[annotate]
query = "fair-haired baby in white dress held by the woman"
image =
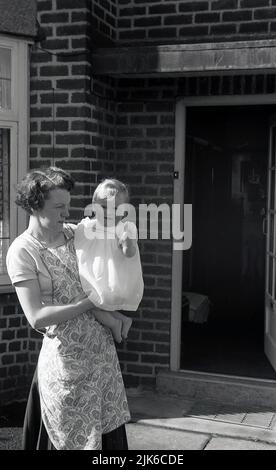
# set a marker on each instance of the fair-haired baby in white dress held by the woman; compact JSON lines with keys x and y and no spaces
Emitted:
{"x":108,"y":259}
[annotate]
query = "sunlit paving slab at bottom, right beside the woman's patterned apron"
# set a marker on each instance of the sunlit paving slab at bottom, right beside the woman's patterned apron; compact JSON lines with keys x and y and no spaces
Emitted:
{"x":143,"y":437}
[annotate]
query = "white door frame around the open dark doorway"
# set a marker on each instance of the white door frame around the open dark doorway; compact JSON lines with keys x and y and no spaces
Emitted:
{"x":179,"y":166}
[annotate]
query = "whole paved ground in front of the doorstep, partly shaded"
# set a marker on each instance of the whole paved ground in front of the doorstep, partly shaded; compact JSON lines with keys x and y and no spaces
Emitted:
{"x":169,"y":422}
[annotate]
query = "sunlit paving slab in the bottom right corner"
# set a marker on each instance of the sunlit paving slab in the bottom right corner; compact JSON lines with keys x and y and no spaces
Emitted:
{"x":224,"y":443}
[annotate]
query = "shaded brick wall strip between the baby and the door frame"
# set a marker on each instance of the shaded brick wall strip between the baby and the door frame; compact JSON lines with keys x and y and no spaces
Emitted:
{"x":145,"y":161}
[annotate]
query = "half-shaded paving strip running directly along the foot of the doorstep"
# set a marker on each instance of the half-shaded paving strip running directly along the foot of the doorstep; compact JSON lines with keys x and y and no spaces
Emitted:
{"x":205,"y":416}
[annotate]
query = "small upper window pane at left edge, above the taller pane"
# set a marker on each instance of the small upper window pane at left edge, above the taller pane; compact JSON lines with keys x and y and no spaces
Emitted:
{"x":5,"y":78}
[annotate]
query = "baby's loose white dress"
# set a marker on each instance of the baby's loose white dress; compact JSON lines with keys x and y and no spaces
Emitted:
{"x":111,"y":280}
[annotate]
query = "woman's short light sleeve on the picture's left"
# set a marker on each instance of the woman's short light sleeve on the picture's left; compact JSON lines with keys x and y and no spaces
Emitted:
{"x":20,"y":264}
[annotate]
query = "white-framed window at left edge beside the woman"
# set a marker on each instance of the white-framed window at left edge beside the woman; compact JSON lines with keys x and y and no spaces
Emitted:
{"x":13,"y":142}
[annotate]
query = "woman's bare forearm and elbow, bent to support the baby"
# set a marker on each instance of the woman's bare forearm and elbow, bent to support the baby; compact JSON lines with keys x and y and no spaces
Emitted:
{"x":39,"y":315}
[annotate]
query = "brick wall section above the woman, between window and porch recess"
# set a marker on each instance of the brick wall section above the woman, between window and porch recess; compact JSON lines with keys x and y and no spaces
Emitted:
{"x":70,"y":126}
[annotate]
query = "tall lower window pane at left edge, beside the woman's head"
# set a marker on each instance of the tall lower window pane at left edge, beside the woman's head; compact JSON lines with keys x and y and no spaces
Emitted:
{"x":4,"y":196}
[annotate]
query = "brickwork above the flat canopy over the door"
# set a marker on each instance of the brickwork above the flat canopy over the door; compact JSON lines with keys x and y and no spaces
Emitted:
{"x":160,"y":21}
